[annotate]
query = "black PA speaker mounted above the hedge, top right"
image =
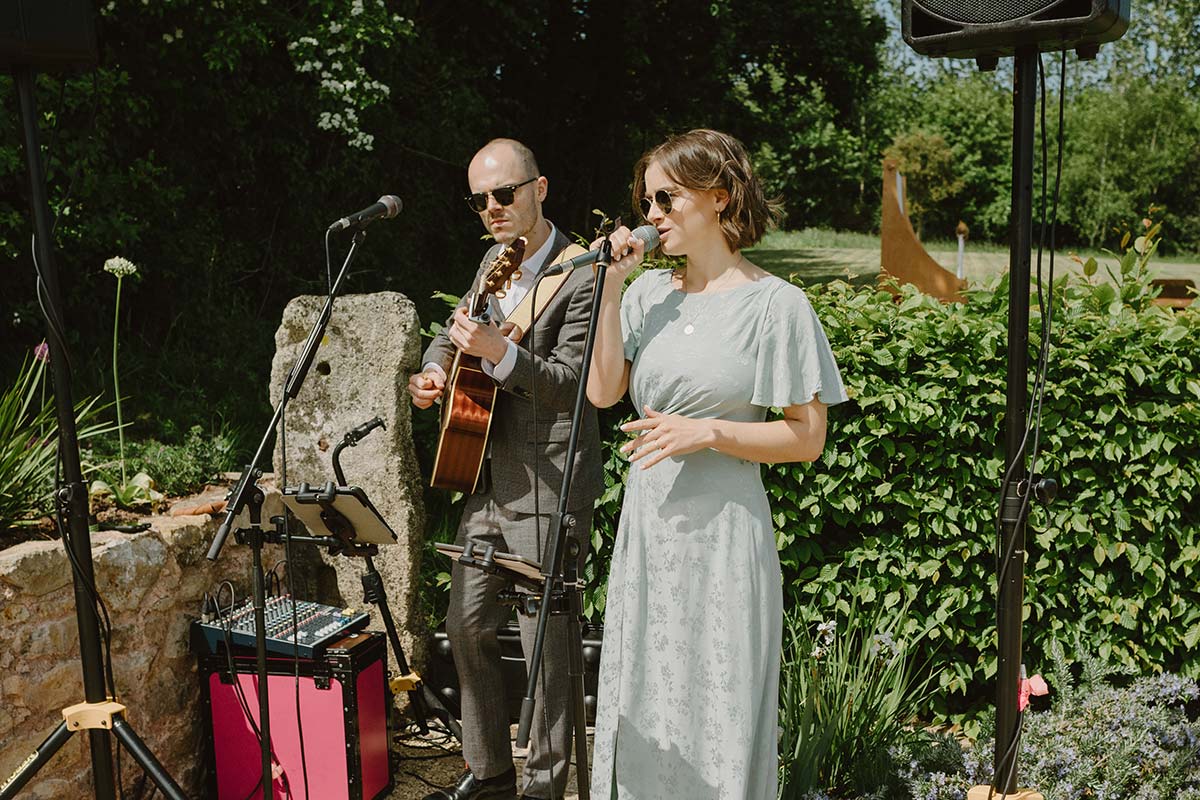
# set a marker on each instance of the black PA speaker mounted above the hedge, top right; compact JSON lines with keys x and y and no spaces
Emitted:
{"x":989,"y":29}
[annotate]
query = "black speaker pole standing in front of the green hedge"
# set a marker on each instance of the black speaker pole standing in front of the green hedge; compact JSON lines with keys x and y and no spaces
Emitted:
{"x":1011,"y":578}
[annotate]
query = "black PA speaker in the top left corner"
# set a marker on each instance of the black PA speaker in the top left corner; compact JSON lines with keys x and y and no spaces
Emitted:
{"x":47,"y":34}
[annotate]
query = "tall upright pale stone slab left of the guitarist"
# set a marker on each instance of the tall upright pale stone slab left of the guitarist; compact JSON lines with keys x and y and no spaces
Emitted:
{"x":359,"y":372}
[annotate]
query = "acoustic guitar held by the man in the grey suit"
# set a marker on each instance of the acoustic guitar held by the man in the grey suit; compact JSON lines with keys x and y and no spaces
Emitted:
{"x":471,"y":394}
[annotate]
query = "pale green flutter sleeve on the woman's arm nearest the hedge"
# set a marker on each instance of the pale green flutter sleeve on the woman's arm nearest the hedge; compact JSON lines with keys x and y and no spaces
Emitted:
{"x":795,"y":362}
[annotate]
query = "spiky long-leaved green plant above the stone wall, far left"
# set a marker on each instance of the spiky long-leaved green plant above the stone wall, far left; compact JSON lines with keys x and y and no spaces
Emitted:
{"x":29,"y":435}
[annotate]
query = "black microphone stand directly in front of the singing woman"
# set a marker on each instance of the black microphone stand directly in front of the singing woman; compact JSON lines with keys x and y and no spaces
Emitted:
{"x":560,"y":567}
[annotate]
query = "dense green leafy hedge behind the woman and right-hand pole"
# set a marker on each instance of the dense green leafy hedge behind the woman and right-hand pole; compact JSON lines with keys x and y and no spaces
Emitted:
{"x":903,"y":506}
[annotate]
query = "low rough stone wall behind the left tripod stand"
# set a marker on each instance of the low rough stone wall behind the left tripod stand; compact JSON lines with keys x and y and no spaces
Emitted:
{"x":153,"y":585}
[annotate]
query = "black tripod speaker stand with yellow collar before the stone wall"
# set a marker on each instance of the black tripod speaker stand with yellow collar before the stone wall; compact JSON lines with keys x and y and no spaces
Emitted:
{"x":100,"y":715}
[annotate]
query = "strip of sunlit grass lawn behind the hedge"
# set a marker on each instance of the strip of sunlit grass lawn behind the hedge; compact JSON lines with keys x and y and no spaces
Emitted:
{"x":818,"y":256}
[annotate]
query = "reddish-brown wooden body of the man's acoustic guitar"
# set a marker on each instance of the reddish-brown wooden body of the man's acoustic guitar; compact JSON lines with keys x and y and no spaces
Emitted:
{"x":466,"y":422}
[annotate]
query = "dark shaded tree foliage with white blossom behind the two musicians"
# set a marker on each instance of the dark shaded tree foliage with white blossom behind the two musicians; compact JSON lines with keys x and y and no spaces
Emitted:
{"x":215,"y":142}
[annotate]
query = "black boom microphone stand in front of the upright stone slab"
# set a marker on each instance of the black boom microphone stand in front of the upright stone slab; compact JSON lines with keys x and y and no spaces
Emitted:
{"x":248,"y":492}
